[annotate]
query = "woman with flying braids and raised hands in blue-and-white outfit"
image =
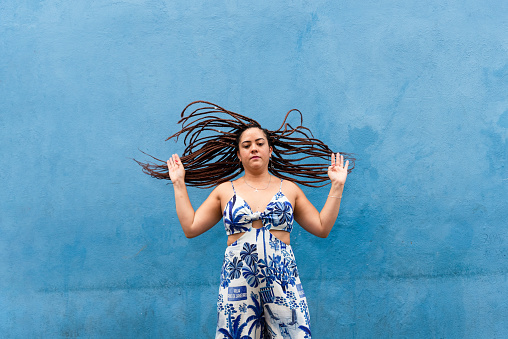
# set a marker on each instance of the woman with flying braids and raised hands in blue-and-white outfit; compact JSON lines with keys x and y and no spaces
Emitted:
{"x":260,"y":293}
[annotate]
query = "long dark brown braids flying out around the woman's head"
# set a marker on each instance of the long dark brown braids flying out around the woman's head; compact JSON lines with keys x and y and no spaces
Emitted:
{"x":211,"y":138}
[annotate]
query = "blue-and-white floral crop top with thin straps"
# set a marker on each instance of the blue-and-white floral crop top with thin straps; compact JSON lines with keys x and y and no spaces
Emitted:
{"x":238,"y":216}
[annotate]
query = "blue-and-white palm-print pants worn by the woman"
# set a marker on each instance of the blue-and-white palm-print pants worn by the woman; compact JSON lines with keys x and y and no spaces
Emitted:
{"x":260,"y":293}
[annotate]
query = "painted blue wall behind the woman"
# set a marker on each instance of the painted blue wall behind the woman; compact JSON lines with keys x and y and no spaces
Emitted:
{"x":91,"y":247}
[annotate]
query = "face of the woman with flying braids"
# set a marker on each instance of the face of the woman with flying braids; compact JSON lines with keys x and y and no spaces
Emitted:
{"x":254,"y":151}
